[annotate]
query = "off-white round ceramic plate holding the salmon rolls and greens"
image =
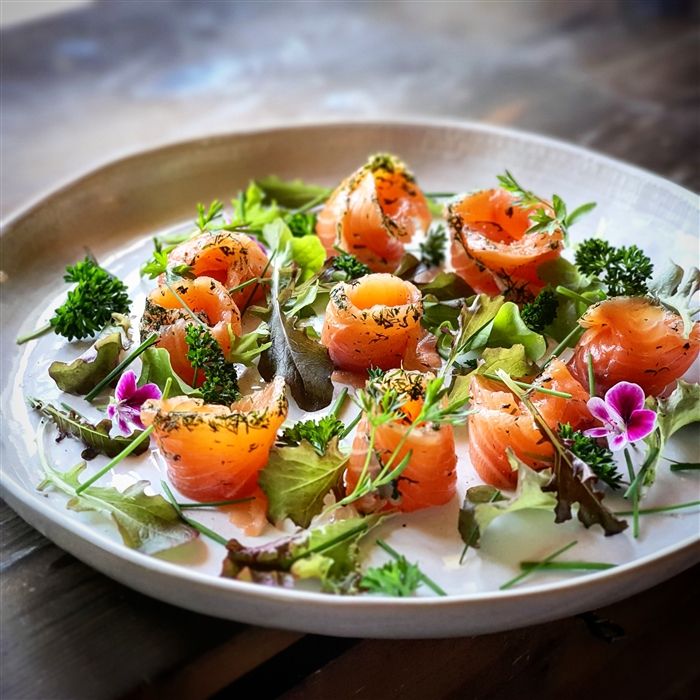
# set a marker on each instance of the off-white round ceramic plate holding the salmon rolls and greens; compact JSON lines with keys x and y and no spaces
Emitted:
{"x":115,"y":210}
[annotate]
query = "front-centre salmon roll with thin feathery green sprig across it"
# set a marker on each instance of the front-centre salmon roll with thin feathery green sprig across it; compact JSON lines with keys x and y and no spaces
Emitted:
{"x":430,"y":478}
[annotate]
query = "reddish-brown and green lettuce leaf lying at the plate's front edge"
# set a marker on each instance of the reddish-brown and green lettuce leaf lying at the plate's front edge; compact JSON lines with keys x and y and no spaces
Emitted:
{"x":329,"y":553}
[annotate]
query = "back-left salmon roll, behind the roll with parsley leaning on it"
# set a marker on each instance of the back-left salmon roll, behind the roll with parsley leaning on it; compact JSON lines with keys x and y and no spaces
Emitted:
{"x":229,"y":258}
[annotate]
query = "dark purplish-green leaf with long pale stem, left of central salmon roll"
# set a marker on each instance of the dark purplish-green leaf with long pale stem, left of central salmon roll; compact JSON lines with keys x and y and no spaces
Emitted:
{"x":303,"y":362}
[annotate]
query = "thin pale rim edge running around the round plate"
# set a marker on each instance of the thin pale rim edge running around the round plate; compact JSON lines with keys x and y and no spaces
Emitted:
{"x":154,"y":565}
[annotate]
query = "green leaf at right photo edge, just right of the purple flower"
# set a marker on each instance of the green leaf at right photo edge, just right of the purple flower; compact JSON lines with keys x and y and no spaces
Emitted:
{"x":681,"y":408}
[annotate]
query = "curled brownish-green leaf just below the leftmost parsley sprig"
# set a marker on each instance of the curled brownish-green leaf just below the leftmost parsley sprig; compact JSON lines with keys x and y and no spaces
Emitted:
{"x":85,"y":372}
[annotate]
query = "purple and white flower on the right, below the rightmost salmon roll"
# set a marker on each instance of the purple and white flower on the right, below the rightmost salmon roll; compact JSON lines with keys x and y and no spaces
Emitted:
{"x":623,"y":415}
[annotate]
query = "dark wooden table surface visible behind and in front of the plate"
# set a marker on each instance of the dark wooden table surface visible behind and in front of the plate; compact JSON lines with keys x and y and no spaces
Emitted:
{"x":83,"y":87}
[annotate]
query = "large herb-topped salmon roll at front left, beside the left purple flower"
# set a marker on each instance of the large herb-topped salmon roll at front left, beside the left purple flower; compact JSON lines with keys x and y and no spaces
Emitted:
{"x":215,"y":452}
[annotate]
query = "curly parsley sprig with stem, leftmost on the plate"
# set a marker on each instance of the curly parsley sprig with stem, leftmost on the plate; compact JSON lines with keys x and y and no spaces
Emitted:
{"x":89,"y":306}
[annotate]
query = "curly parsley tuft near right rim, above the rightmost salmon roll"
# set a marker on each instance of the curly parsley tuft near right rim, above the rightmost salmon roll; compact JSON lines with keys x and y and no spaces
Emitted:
{"x":624,"y":270}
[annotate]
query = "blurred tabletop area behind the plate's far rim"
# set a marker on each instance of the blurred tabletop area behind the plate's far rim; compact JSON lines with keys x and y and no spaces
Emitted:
{"x":84,"y":81}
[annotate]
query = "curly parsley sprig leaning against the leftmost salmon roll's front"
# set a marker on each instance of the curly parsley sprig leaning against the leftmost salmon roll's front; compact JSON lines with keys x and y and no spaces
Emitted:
{"x":221,"y":379}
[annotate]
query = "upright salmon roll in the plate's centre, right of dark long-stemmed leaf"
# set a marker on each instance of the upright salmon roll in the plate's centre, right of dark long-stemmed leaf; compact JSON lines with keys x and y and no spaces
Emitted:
{"x":373,"y":321}
